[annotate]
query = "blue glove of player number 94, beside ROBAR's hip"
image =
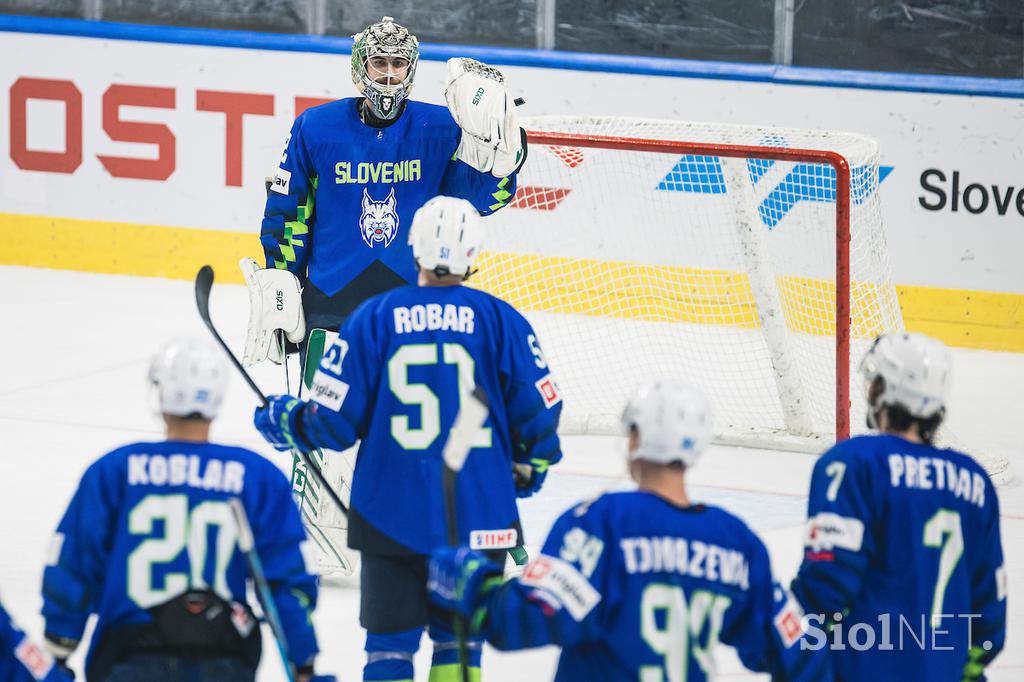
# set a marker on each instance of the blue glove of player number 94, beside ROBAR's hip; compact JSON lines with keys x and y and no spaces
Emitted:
{"x":460,"y":581}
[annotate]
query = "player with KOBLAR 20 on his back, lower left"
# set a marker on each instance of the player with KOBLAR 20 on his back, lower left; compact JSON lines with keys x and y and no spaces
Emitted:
{"x":148,"y":544}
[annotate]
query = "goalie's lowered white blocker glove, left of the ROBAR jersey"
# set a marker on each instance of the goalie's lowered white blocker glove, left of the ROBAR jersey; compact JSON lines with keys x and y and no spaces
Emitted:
{"x":275,"y":309}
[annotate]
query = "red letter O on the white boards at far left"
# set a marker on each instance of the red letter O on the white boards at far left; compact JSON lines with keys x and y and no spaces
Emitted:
{"x":22,"y":92}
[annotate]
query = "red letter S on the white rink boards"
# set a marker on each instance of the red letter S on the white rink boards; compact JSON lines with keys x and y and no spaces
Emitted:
{"x":132,"y":132}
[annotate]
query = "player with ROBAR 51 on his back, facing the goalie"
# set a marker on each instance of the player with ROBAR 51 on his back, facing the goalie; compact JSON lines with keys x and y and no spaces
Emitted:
{"x":395,"y":379}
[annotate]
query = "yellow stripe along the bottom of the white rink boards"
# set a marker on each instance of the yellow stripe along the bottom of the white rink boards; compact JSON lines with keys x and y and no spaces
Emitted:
{"x":961,"y":318}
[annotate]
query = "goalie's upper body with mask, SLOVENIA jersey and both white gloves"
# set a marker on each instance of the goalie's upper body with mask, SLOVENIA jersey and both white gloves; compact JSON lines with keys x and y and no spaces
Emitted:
{"x":354,"y":174}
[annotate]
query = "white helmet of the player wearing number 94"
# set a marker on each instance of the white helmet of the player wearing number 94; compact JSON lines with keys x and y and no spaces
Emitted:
{"x":673,"y":423}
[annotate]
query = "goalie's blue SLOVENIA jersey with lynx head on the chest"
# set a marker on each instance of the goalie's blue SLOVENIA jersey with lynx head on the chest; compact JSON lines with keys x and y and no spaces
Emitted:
{"x":346,"y":193}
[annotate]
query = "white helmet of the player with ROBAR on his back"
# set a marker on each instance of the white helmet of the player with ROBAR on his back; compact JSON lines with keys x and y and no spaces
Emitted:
{"x":447,"y":236}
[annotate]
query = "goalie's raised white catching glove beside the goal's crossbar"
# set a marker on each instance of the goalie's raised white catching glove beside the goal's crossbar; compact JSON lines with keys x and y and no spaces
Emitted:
{"x":480,"y":102}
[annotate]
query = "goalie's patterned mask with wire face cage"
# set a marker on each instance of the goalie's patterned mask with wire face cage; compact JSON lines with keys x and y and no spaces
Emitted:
{"x":386,"y":42}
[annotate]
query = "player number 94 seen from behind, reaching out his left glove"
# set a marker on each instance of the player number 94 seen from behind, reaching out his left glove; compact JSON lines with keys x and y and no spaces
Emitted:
{"x":641,"y":585}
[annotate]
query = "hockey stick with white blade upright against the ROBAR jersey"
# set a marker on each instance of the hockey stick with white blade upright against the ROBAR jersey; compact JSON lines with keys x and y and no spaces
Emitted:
{"x":473,"y":413}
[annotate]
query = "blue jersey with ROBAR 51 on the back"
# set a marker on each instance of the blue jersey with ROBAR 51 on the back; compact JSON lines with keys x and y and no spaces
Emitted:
{"x":395,"y":379}
